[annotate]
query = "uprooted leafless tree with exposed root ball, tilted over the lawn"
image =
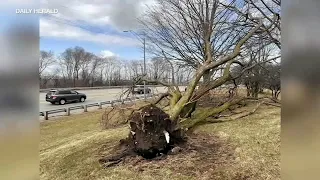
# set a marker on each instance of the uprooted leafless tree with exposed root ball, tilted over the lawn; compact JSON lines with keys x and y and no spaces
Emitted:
{"x":206,"y":35}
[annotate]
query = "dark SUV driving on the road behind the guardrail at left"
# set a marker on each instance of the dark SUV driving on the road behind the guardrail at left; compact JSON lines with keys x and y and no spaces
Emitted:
{"x":63,"y":96}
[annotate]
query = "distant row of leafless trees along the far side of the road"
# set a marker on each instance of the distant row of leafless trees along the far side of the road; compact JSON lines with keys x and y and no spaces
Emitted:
{"x":76,"y":67}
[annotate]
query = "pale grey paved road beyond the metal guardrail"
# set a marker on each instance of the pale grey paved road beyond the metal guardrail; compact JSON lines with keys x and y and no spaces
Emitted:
{"x":93,"y":96}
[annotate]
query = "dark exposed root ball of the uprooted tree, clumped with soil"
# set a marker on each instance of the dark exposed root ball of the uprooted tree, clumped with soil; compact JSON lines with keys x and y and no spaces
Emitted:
{"x":152,"y":134}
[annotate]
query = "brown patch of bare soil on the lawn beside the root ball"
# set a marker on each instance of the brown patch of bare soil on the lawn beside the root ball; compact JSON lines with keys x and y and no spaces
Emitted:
{"x":202,"y":156}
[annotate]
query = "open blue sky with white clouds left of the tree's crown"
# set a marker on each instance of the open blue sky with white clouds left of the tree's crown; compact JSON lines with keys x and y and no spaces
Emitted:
{"x":96,"y":25}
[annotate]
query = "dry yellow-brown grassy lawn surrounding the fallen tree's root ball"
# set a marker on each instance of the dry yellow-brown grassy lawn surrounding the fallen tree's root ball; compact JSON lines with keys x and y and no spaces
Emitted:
{"x":247,"y":148}
